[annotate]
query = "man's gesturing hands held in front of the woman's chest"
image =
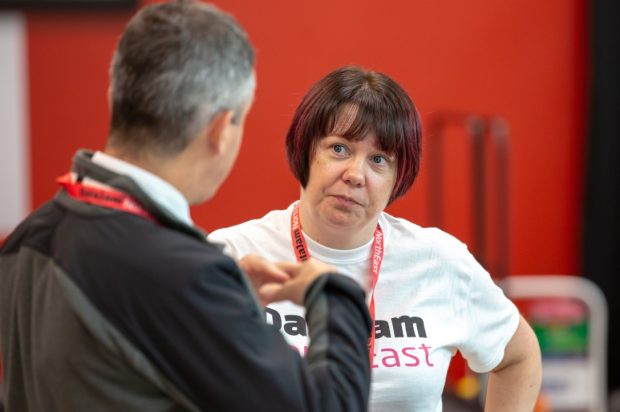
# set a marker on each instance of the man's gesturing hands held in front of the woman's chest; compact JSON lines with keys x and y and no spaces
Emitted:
{"x":301,"y":276}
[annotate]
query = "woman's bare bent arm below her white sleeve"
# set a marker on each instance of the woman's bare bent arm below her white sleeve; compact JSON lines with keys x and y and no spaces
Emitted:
{"x":515,"y":383}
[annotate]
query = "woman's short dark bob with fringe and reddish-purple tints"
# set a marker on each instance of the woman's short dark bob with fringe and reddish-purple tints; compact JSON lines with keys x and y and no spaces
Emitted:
{"x":383,"y":107}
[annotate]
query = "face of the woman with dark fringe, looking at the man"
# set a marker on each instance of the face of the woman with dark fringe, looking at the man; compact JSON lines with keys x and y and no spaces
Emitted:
{"x":350,"y":183}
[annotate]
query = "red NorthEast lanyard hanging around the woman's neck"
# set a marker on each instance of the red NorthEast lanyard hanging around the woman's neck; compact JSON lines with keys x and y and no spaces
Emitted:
{"x":302,"y":253}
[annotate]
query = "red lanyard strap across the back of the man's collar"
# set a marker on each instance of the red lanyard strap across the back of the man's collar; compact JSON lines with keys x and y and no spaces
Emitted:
{"x":104,"y":197}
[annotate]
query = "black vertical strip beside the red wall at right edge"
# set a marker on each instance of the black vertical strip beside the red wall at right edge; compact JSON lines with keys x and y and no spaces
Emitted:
{"x":601,"y":224}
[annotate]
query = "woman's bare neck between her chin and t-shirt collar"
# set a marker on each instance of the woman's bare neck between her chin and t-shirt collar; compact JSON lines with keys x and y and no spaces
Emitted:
{"x":332,"y":236}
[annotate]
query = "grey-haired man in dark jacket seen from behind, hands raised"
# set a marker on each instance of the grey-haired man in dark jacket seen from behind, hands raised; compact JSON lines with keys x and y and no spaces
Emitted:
{"x":112,"y":300}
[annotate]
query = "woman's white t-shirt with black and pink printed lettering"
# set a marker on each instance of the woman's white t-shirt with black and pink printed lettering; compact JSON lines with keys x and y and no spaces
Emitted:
{"x":432,"y":298}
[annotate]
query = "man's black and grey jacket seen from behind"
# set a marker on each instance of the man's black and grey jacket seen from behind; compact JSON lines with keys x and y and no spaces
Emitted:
{"x":101,"y":310}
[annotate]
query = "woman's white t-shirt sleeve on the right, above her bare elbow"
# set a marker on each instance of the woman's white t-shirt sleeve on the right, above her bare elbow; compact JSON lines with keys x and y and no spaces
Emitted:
{"x":490,"y":318}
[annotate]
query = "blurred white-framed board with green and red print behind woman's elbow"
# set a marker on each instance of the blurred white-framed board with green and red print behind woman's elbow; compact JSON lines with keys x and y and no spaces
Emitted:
{"x":569,"y":316}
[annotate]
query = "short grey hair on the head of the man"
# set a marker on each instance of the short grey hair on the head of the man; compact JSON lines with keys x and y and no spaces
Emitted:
{"x":177,"y":65}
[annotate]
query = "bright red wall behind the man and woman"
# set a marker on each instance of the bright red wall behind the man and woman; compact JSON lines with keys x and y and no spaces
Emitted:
{"x":525,"y":60}
